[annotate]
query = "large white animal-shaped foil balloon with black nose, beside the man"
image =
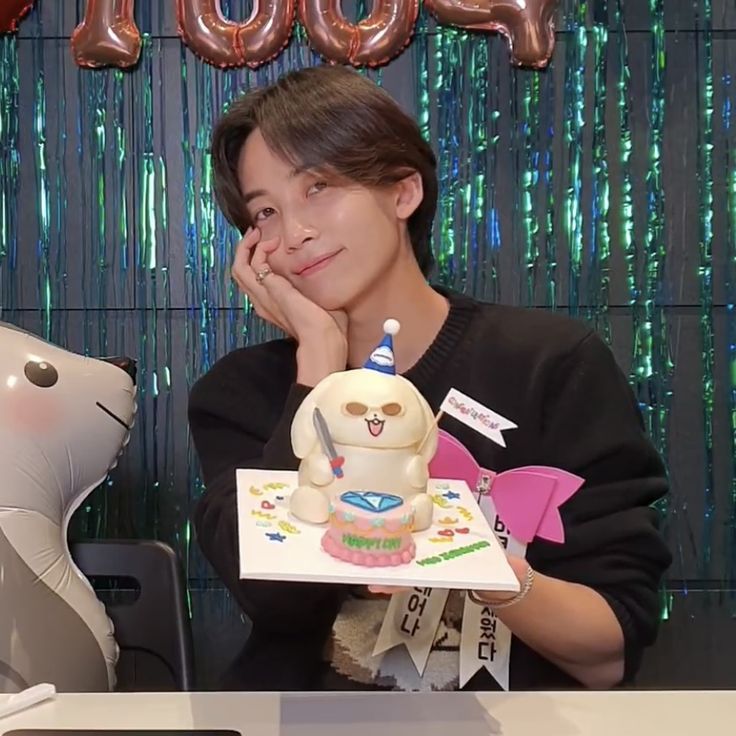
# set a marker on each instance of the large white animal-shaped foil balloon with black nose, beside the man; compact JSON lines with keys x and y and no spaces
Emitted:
{"x":64,"y":420}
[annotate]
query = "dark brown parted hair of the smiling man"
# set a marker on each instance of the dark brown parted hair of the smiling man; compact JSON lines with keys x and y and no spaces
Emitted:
{"x":334,"y":119}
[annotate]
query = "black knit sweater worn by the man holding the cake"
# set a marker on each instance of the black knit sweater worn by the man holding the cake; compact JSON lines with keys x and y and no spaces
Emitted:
{"x":574,"y":409}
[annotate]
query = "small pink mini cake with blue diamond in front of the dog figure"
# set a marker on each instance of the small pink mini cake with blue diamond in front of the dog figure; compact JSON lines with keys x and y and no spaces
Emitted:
{"x":370,"y":529}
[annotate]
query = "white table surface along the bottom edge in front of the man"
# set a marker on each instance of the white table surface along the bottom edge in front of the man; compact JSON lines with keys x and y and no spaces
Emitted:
{"x":703,"y":713}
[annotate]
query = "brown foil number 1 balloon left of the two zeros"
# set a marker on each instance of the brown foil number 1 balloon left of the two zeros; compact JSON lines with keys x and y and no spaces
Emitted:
{"x":108,"y":35}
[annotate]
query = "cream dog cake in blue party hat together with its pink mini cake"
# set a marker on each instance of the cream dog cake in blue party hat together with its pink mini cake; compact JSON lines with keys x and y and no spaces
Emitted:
{"x":365,"y":438}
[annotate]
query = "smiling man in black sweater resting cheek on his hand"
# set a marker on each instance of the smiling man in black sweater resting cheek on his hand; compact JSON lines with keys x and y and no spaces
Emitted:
{"x":335,"y":191}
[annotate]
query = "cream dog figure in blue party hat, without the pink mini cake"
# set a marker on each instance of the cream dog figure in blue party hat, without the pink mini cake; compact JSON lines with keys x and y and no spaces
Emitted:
{"x":372,"y":431}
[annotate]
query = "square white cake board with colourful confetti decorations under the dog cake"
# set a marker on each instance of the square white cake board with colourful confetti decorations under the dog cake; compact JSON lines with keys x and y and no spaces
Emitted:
{"x":276,"y":546}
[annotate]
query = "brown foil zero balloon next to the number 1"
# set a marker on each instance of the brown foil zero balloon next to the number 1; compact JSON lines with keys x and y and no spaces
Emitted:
{"x":223,"y":43}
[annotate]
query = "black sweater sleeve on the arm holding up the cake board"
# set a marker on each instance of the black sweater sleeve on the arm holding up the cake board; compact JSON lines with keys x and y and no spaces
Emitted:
{"x":592,"y":427}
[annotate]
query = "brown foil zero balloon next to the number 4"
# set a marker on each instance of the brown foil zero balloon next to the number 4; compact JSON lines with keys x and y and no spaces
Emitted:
{"x":371,"y":42}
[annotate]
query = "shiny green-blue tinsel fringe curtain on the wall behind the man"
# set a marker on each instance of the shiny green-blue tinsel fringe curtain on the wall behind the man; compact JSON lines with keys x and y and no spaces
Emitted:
{"x":604,"y":187}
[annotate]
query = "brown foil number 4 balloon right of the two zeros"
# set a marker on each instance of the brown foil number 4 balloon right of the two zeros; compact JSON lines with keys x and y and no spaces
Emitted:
{"x":528,"y":24}
